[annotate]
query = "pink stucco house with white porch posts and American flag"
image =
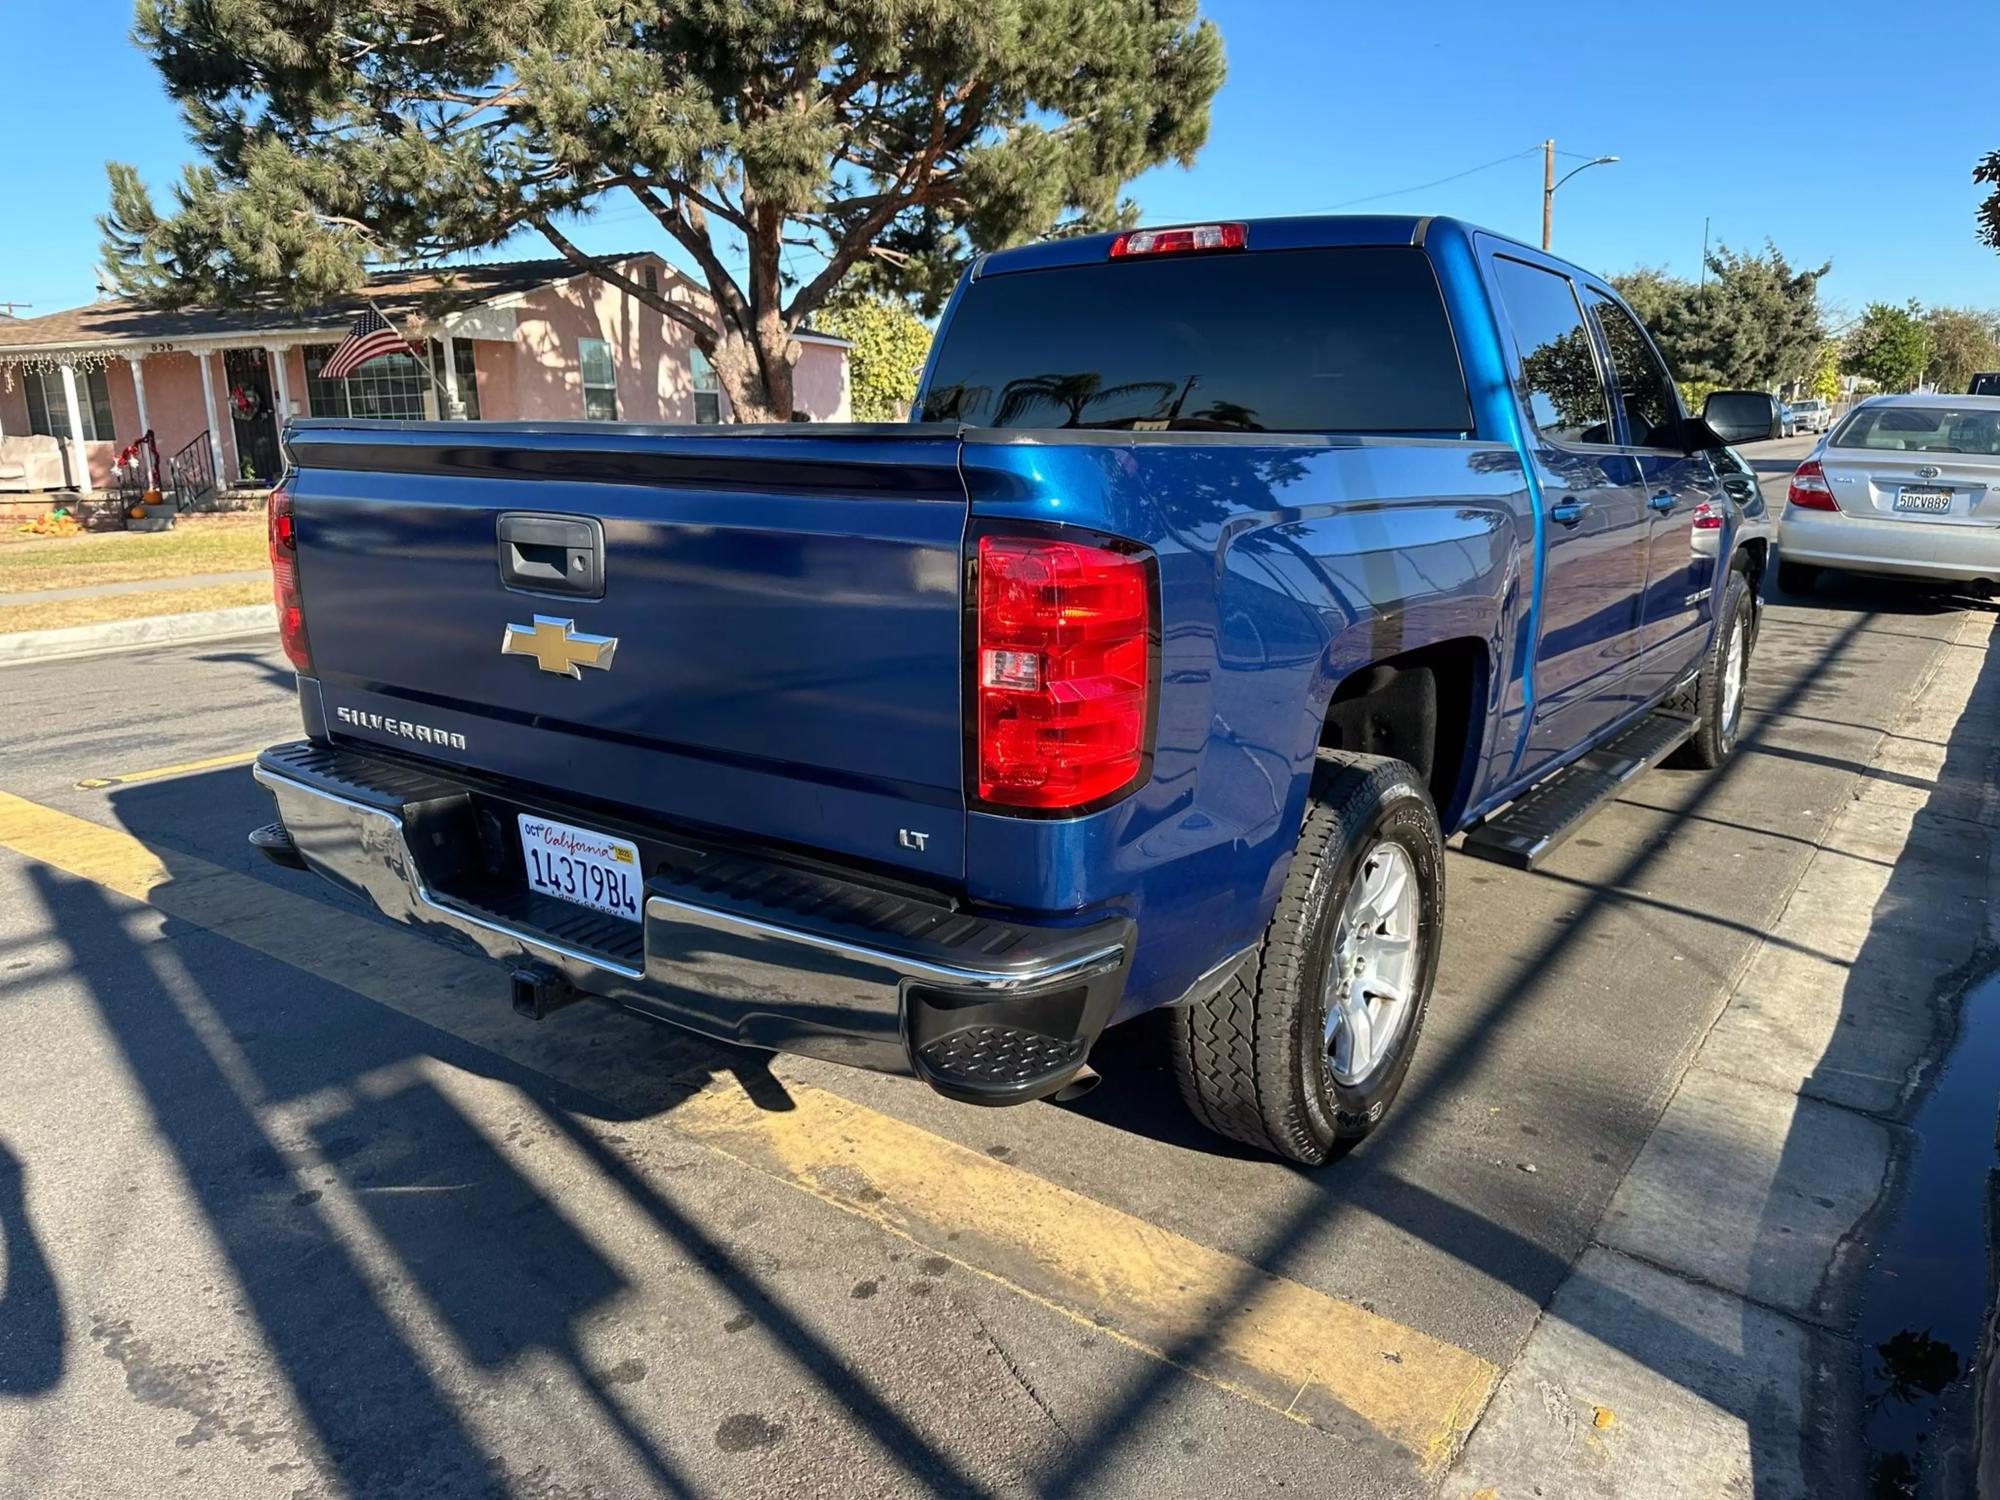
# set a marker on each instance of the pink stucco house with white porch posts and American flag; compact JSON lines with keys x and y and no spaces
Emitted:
{"x":523,"y":341}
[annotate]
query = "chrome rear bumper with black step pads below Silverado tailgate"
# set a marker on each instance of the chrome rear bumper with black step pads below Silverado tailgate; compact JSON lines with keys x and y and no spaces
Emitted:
{"x":737,"y":949}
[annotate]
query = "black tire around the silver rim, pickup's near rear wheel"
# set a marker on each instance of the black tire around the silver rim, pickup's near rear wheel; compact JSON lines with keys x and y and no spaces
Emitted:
{"x":1253,"y":1061}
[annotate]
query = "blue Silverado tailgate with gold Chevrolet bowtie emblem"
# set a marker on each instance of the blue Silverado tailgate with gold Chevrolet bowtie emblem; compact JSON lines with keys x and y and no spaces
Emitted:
{"x":785,"y":607}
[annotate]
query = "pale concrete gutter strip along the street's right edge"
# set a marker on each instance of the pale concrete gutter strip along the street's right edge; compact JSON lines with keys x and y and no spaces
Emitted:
{"x":1703,"y":1345}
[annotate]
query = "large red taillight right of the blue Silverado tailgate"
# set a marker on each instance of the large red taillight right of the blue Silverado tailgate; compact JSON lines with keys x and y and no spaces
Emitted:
{"x":1063,"y":673}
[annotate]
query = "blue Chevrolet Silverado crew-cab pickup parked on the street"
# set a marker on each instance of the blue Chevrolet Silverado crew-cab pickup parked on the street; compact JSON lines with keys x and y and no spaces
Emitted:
{"x":1225,"y":573}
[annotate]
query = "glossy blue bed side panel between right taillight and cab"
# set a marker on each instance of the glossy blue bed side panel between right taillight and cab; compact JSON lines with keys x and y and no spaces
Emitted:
{"x":1285,"y":565}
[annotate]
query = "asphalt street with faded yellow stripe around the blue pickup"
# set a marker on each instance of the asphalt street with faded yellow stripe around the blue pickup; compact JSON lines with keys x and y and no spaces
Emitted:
{"x":293,"y":1205}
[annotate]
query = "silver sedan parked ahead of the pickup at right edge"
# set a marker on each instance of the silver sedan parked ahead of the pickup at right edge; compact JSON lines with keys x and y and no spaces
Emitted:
{"x":1905,"y":487}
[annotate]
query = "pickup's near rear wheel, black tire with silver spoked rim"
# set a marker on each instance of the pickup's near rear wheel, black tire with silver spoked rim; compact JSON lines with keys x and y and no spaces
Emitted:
{"x":1311,"y":1039}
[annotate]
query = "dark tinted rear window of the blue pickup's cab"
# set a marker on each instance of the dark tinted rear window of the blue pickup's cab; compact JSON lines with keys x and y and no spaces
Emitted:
{"x":1293,"y":341}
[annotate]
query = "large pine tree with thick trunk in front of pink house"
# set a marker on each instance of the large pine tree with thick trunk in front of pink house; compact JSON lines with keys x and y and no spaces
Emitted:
{"x":889,"y":137}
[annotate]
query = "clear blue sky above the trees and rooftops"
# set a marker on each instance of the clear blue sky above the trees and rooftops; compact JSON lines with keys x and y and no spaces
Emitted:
{"x":1841,"y":129}
